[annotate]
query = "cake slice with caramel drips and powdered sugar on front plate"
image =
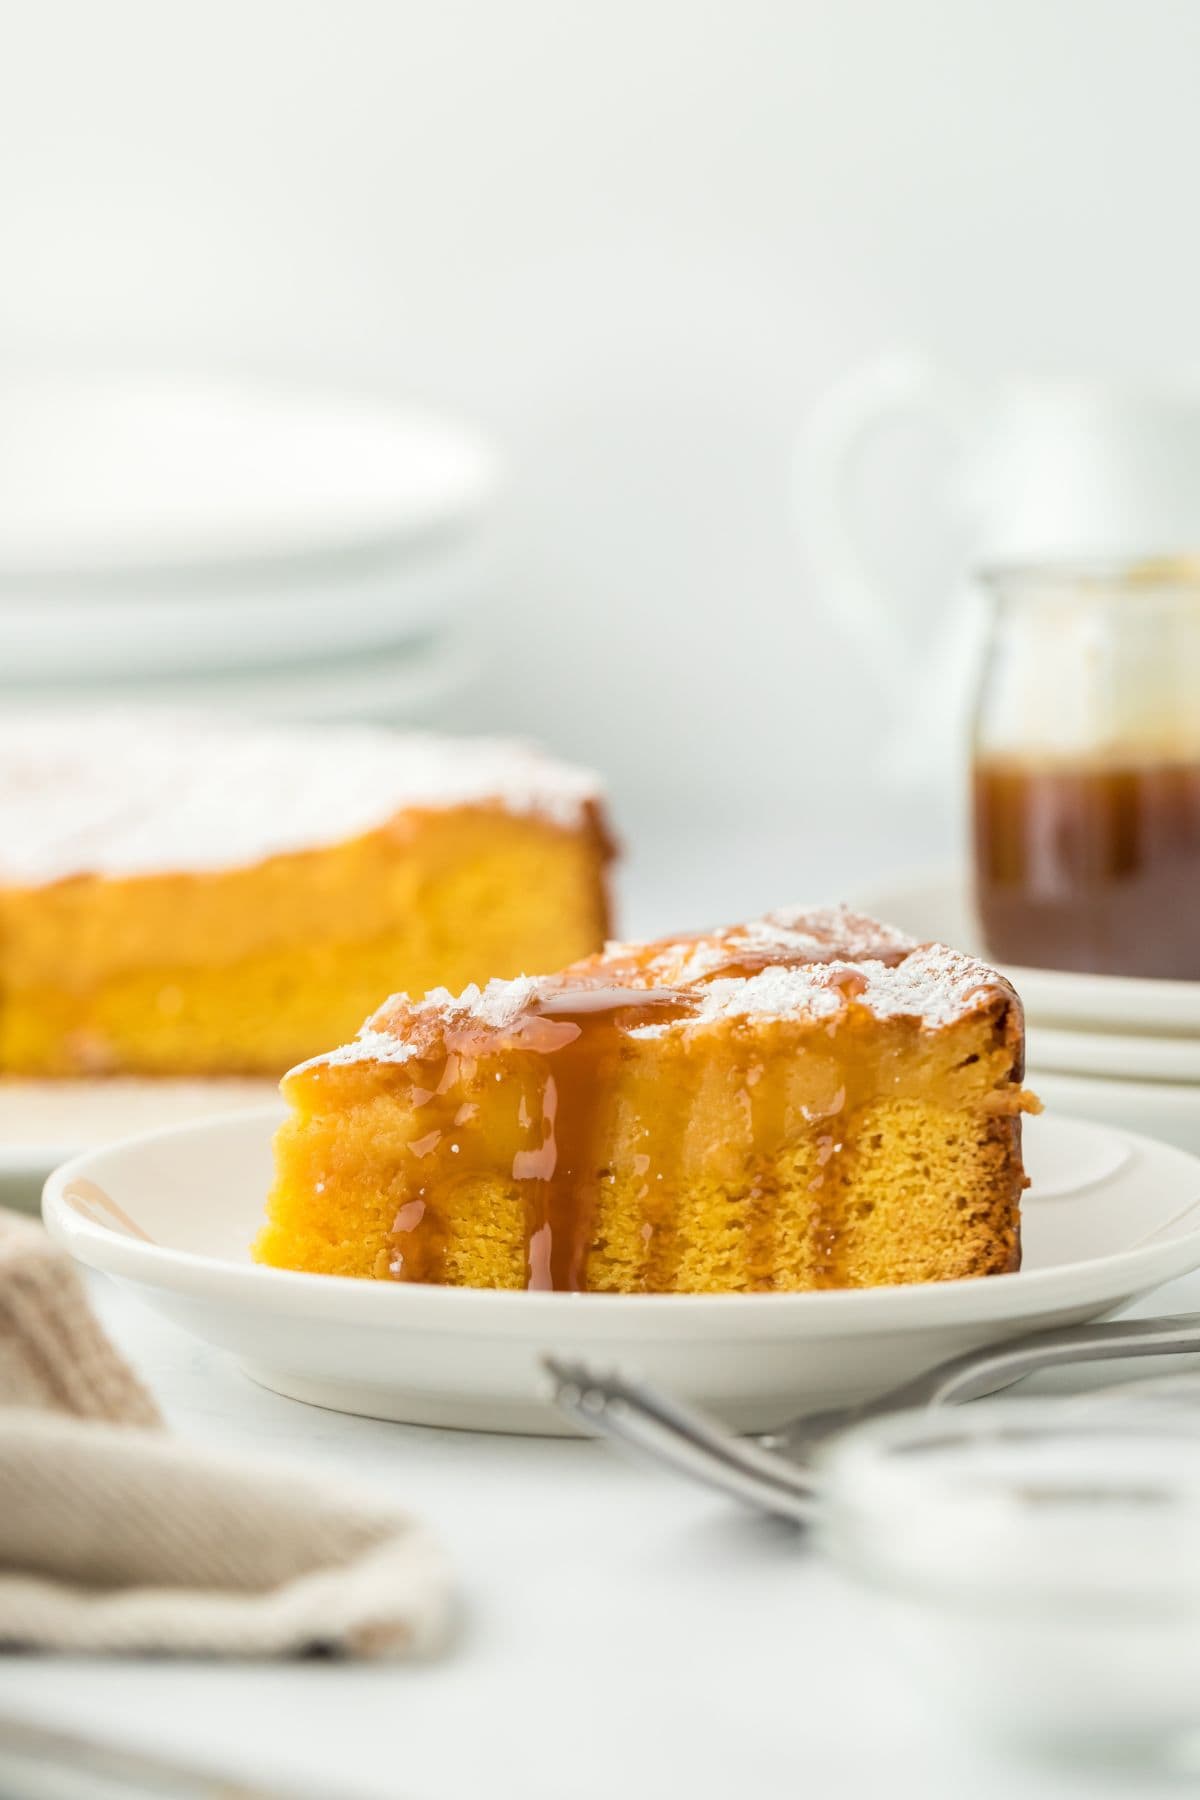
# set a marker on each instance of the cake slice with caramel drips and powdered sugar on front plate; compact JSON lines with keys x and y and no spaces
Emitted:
{"x":810,"y":1101}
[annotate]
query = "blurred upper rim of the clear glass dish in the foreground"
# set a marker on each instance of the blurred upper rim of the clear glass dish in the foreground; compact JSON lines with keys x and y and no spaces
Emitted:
{"x":1014,"y":1502}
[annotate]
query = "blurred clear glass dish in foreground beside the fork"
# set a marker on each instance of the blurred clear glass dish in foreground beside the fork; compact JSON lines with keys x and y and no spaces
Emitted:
{"x":1039,"y":1570}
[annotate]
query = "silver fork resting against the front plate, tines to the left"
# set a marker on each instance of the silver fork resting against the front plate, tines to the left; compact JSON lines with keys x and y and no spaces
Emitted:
{"x":771,"y":1473}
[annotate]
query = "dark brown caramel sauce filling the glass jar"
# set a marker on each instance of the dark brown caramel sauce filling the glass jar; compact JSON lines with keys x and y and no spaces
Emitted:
{"x":1091,"y":865}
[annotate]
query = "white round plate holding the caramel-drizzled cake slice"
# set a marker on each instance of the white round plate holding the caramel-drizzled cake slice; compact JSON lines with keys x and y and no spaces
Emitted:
{"x":1109,"y":1218}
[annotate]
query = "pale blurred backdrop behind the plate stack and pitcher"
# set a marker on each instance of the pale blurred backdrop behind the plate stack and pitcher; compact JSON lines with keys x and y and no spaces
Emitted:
{"x":636,"y":242}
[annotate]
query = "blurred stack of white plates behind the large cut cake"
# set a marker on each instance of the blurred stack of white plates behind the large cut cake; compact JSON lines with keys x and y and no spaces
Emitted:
{"x":224,"y":543}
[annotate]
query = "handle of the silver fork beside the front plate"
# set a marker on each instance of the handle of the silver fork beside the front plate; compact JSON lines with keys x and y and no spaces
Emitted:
{"x":980,"y":1372}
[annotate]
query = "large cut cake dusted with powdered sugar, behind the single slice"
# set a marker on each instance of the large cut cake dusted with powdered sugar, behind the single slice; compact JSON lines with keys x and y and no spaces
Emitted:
{"x":188,"y":895}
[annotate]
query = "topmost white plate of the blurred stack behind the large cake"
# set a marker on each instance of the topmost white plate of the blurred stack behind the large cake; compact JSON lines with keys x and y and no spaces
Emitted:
{"x":125,"y":472}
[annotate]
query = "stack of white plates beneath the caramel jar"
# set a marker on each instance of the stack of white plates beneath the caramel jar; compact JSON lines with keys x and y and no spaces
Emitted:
{"x":1111,"y":1048}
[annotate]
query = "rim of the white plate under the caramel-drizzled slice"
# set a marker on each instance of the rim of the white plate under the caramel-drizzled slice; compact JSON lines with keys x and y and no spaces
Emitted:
{"x":841,"y":1311}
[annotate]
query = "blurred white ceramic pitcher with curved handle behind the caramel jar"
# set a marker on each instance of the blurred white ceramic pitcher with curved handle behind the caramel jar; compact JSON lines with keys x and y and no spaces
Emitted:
{"x":1043,"y":471}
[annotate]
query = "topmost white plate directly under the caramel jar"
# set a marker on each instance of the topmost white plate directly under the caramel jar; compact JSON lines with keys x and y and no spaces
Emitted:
{"x":936,"y":904}
